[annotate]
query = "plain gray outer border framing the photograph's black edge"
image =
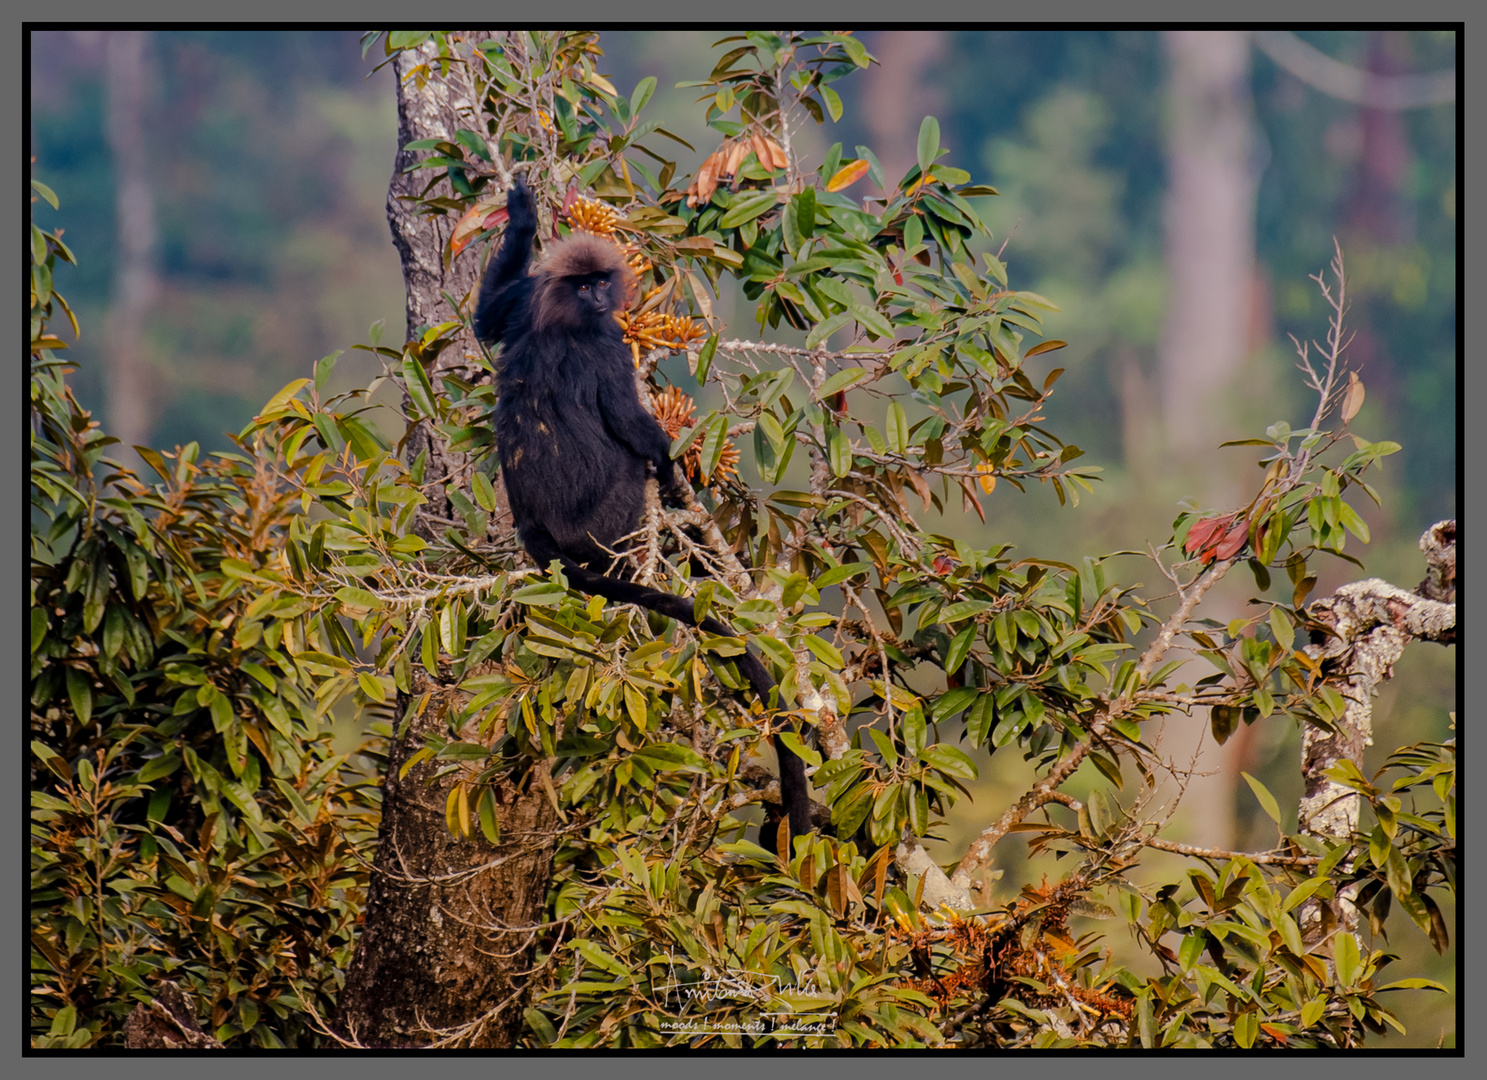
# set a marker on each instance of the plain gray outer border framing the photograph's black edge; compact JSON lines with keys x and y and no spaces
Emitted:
{"x":1156,"y":14}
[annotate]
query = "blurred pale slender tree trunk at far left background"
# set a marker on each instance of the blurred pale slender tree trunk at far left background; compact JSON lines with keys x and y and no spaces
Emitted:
{"x":133,"y":388}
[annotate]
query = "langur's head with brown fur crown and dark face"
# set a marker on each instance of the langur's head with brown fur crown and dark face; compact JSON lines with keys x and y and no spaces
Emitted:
{"x":581,"y":285}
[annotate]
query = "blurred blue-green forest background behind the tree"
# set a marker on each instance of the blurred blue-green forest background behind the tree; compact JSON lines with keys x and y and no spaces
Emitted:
{"x":225,"y":191}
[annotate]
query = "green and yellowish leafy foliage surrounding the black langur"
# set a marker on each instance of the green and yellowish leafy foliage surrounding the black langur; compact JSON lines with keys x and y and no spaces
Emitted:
{"x":193,"y":639}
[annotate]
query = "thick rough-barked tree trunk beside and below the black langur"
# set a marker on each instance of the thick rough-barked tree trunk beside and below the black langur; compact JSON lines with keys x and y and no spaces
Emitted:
{"x":450,"y":923}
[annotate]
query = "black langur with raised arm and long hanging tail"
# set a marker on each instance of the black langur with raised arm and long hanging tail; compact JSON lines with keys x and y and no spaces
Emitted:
{"x":575,"y":443}
